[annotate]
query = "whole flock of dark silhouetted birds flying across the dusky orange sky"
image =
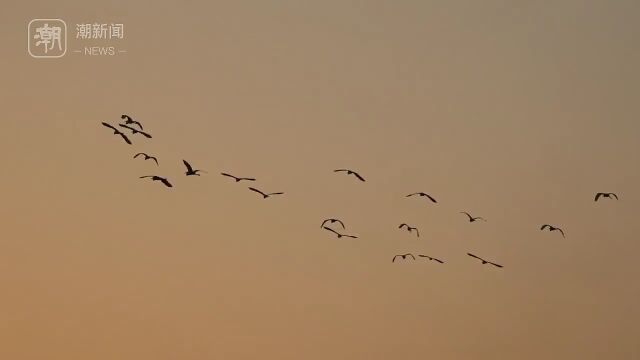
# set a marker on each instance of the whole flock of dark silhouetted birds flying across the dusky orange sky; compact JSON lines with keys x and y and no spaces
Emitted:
{"x":128,"y":124}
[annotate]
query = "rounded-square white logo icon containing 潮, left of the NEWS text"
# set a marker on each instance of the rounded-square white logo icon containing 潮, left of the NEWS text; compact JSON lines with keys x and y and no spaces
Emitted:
{"x":47,"y":38}
